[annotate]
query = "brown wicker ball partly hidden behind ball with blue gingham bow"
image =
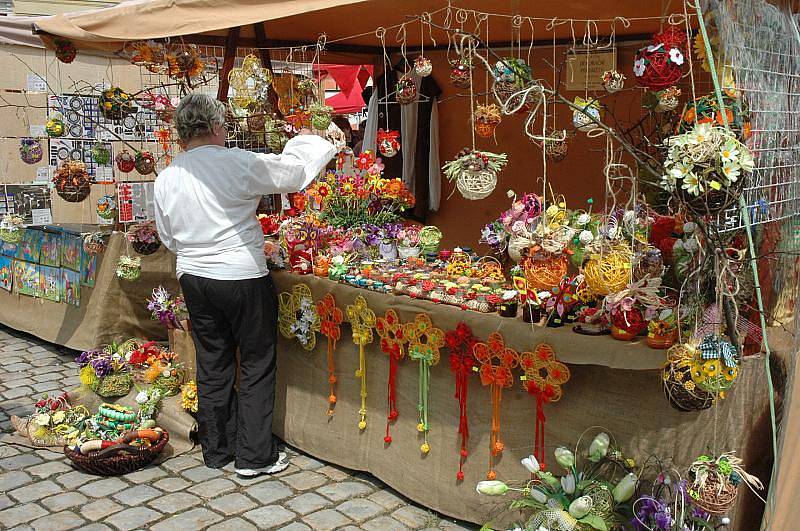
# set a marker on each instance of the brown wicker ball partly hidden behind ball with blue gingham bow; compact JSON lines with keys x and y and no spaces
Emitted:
{"x":681,"y":392}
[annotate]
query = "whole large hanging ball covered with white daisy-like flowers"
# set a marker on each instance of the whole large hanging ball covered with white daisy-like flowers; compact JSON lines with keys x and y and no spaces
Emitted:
{"x":704,"y":168}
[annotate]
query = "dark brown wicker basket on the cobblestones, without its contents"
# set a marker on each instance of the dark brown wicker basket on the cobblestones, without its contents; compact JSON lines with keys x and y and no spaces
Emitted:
{"x":116,"y":460}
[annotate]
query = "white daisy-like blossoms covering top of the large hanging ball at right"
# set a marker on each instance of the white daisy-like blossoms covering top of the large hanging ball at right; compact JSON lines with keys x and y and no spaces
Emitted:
{"x":705,"y":158}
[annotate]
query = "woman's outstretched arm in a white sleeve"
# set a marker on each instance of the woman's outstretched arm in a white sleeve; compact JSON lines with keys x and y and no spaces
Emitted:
{"x":301,"y":161}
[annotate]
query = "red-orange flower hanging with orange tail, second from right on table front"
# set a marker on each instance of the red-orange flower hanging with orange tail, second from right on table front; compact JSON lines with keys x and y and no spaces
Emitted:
{"x":496,"y":362}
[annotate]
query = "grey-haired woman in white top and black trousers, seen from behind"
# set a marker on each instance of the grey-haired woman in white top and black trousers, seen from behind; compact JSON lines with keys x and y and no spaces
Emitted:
{"x":205,"y":205}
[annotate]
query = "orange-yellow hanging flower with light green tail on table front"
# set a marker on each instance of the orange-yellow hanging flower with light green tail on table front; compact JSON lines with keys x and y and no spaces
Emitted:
{"x":424,"y":342}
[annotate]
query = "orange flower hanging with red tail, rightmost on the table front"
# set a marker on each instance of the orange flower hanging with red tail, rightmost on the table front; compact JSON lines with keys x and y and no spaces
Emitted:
{"x":544,"y":375}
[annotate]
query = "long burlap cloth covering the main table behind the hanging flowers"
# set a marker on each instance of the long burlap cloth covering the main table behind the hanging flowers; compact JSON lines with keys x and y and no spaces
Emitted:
{"x":614,"y":384}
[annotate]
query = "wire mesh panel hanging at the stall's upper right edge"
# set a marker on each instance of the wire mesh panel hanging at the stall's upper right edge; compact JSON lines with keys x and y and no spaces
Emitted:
{"x":760,"y":45}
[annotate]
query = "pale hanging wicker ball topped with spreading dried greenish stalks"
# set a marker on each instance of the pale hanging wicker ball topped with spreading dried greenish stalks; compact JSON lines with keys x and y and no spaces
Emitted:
{"x":475,"y":172}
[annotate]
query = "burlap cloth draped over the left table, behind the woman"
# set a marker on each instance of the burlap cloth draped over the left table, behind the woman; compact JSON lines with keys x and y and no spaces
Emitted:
{"x":114,"y":309}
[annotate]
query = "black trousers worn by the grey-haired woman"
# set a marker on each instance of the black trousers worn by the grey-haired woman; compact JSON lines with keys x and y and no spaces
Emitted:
{"x":226,"y":314}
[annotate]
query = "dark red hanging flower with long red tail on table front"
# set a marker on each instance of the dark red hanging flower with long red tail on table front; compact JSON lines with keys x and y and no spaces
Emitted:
{"x":460,"y":342}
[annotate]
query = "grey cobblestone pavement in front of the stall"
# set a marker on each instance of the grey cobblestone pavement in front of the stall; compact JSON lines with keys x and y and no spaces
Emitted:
{"x":40,"y":490}
